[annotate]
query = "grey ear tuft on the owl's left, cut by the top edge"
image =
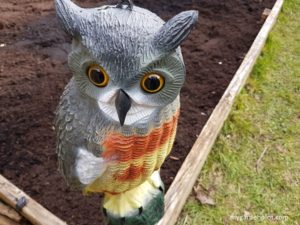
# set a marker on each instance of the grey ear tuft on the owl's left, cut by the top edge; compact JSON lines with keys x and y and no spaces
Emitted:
{"x":69,"y":15}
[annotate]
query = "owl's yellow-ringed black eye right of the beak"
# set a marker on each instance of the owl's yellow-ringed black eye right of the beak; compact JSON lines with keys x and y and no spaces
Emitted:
{"x":152,"y":82}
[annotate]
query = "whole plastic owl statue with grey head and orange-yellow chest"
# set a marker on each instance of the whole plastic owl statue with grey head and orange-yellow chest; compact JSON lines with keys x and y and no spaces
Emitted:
{"x":117,"y":118}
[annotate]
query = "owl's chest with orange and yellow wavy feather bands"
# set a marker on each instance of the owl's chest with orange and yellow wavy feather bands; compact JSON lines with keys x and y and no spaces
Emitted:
{"x":132,"y":159}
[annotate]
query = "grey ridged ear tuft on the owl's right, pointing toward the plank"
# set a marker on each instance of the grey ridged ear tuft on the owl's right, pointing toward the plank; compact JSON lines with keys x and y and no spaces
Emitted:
{"x":173,"y":32}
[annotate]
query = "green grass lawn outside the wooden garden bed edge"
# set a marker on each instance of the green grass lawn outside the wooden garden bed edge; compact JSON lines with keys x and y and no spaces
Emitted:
{"x":265,"y":116}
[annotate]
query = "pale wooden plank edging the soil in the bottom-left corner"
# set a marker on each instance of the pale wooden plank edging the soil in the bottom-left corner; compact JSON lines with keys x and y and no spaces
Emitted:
{"x":32,"y":211}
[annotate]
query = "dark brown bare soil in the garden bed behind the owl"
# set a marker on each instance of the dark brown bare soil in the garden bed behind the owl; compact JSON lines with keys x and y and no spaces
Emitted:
{"x":33,"y":73}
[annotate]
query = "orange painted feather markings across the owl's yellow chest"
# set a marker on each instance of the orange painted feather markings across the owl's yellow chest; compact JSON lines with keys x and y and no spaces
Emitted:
{"x":126,"y":149}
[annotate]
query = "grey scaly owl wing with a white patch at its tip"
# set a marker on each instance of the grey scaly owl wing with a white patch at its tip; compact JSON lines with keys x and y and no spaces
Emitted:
{"x":78,"y":165}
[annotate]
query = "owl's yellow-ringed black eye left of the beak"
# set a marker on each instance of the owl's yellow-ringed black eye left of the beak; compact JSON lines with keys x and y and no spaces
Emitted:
{"x":97,"y":76}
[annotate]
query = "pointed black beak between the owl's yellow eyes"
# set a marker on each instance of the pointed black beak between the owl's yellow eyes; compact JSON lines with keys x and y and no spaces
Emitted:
{"x":123,"y":104}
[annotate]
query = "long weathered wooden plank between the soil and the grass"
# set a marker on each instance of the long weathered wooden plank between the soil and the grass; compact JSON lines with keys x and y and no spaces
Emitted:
{"x":189,"y":171}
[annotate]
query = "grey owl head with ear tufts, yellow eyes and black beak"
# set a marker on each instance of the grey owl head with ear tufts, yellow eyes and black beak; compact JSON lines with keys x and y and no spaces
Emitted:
{"x":126,"y":58}
